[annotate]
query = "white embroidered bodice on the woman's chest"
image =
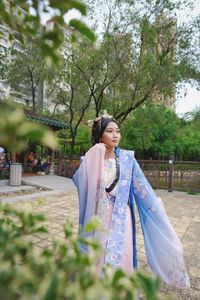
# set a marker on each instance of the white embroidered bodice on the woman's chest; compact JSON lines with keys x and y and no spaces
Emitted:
{"x":110,"y":174}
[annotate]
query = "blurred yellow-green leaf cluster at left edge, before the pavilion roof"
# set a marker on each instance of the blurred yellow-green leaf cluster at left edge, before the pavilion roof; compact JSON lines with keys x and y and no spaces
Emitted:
{"x":16,"y":131}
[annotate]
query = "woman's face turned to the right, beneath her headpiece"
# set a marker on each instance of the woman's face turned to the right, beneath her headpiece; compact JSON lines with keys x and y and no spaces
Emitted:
{"x":111,"y":135}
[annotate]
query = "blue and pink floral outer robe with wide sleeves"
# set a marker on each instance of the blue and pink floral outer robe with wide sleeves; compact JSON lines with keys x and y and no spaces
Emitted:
{"x":163,"y":248}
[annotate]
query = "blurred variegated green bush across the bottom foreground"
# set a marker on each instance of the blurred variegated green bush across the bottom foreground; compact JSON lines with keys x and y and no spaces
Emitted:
{"x":61,"y":271}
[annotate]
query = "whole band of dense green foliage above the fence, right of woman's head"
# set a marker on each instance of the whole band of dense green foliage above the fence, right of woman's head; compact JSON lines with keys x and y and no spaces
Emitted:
{"x":161,"y":133}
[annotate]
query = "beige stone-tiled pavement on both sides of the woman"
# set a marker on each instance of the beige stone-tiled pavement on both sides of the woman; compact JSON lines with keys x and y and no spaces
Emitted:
{"x":61,"y":205}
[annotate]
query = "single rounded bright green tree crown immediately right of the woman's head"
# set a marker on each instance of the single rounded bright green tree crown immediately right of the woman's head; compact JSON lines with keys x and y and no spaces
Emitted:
{"x":153,"y":137}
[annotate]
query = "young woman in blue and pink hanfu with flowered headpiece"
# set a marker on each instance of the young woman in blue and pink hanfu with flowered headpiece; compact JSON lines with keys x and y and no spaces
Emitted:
{"x":109,"y":182}
